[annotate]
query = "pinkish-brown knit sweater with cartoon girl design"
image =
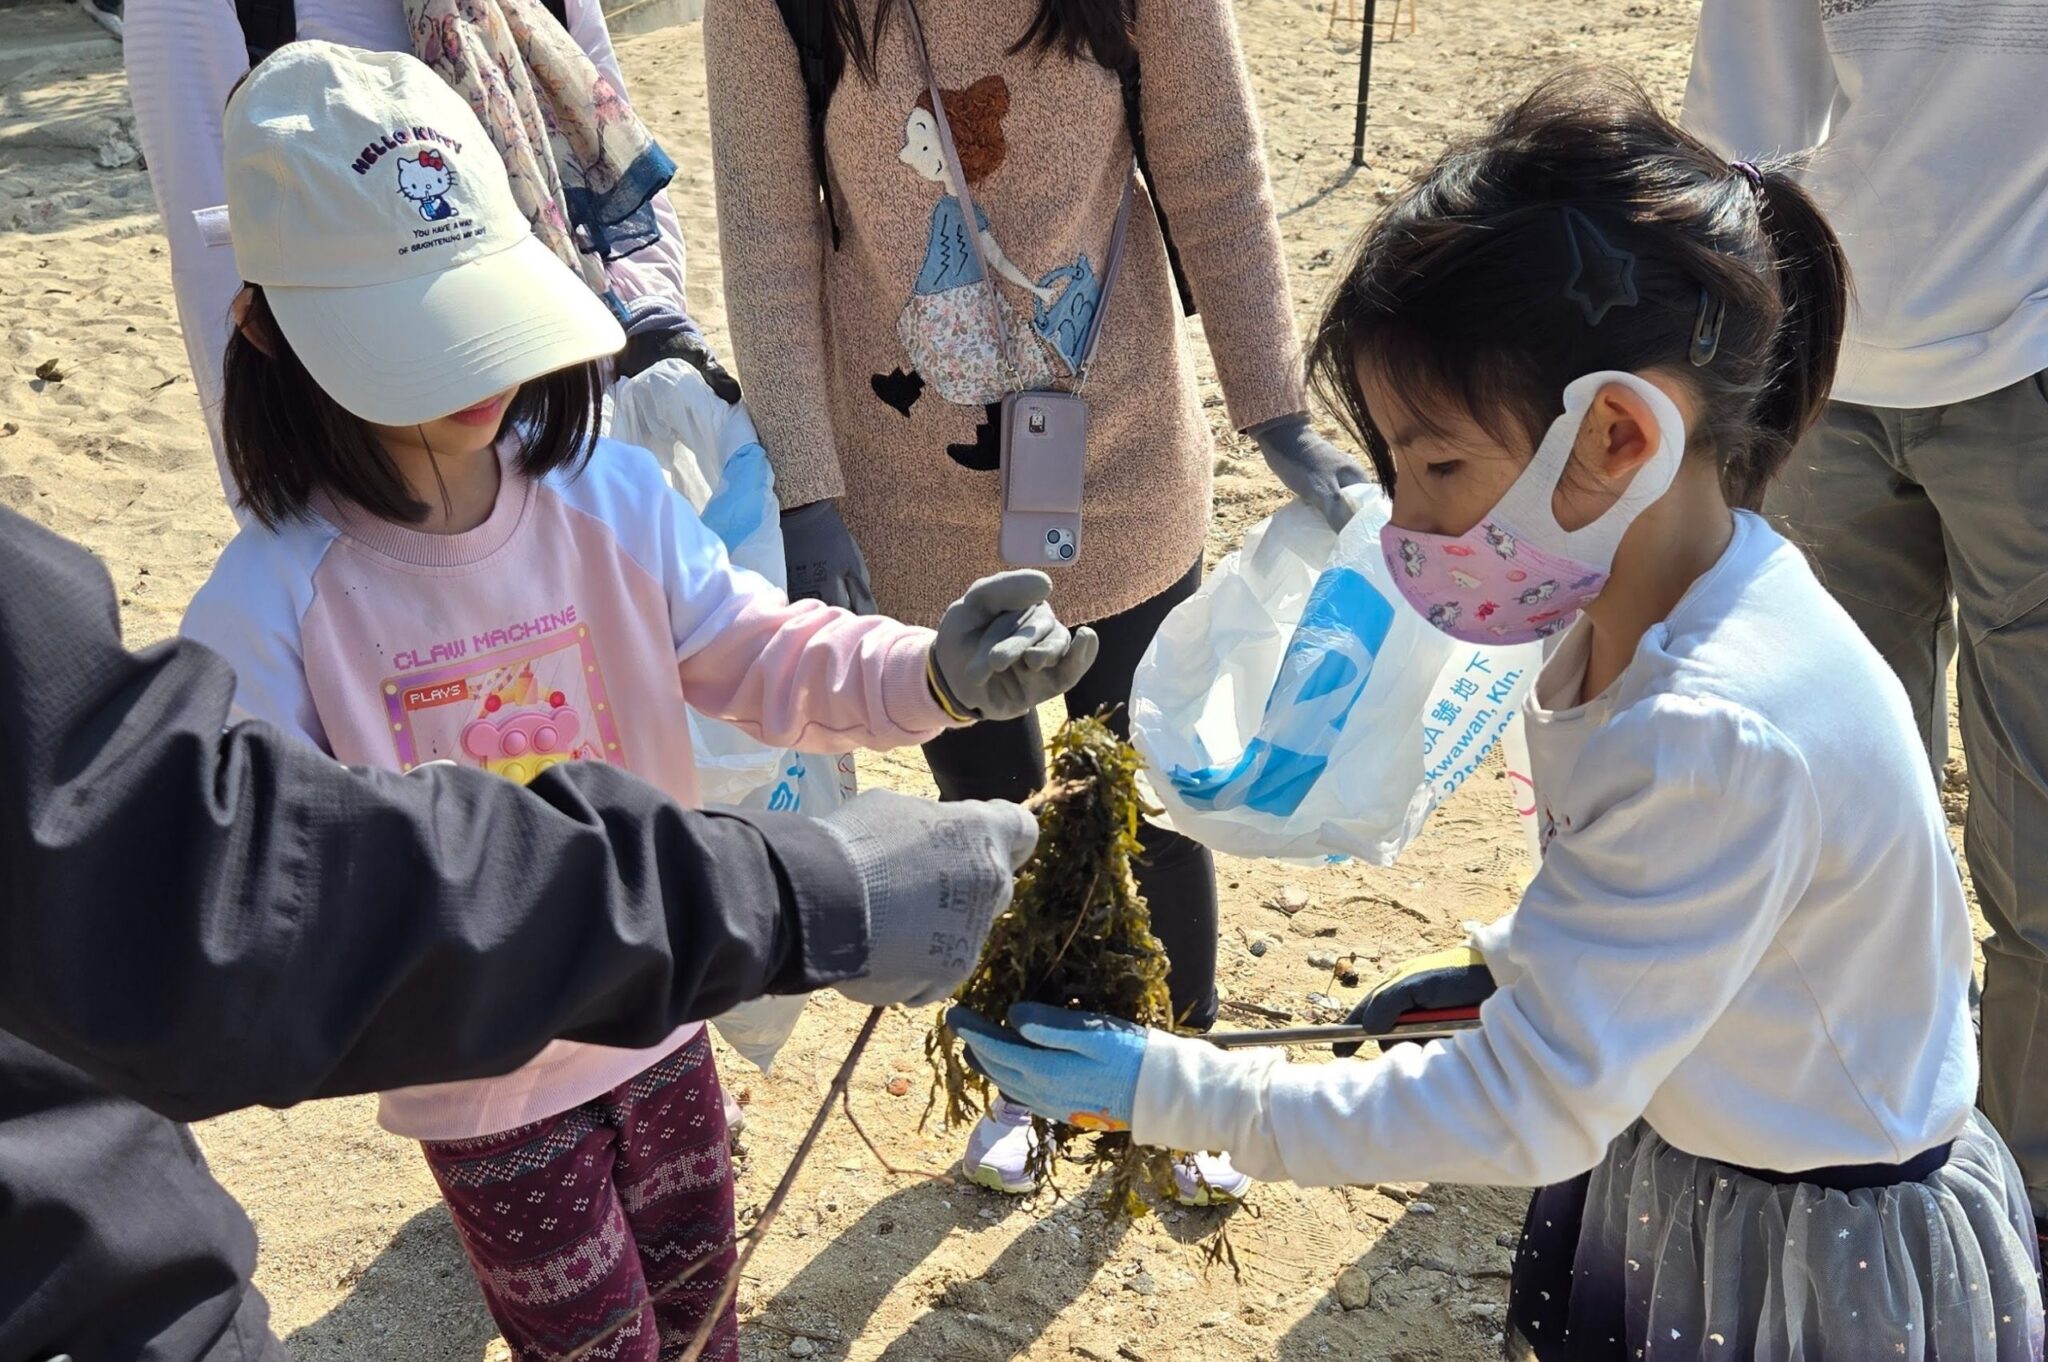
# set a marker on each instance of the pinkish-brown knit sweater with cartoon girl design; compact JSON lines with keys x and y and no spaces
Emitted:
{"x":863,"y":366}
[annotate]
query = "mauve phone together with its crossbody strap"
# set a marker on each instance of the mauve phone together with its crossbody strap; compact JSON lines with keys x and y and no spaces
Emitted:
{"x":1043,"y":433}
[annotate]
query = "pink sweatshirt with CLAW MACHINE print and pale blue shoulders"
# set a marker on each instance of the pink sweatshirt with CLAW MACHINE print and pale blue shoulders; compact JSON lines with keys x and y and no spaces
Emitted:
{"x":577,"y":624}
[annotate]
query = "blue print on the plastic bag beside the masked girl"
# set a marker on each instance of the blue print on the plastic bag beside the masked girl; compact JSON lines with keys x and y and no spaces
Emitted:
{"x":1322,"y":675}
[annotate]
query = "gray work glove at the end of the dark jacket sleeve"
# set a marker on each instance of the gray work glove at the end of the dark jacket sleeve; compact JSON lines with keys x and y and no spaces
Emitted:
{"x":935,"y":880}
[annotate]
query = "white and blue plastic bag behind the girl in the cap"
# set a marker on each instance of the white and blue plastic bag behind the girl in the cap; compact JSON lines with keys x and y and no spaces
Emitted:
{"x":714,"y":458}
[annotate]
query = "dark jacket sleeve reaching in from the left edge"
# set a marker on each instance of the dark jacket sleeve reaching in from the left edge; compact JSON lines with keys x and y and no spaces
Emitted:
{"x":210,"y":917}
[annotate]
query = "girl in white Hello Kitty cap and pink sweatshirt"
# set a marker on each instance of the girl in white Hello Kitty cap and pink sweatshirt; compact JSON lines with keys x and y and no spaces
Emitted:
{"x":445,"y":566}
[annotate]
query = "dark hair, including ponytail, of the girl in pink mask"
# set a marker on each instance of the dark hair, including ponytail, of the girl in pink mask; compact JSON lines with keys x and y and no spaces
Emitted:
{"x":1467,"y":292}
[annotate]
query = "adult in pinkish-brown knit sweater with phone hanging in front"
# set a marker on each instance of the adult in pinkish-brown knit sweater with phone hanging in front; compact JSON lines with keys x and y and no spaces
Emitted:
{"x":861,"y":329}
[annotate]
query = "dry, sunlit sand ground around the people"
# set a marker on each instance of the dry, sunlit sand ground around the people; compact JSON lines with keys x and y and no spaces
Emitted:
{"x":357,"y":1257}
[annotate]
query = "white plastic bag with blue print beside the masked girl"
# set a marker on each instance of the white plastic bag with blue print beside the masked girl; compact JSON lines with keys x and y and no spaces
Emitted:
{"x":1299,"y":710}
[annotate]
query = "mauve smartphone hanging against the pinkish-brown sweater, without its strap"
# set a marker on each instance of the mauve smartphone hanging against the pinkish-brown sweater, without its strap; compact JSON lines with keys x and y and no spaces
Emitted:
{"x":1043,"y":474}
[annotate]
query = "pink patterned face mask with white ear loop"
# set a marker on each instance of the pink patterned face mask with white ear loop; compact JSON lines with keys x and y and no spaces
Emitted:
{"x":1519,"y":574}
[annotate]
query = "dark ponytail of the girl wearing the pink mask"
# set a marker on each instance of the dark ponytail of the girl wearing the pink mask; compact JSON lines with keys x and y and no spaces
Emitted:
{"x":1814,"y":282}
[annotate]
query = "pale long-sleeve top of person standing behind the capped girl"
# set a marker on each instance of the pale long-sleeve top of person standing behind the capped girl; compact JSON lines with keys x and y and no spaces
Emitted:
{"x":185,"y":58}
